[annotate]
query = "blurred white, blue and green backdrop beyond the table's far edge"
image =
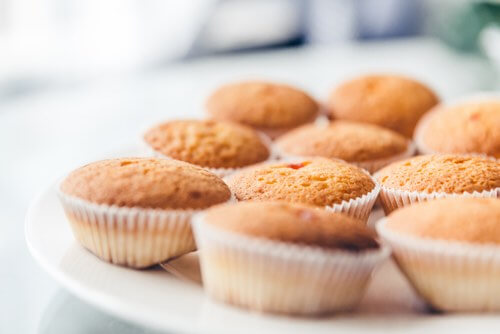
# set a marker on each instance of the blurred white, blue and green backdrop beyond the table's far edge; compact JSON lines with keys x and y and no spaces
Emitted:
{"x":47,"y":44}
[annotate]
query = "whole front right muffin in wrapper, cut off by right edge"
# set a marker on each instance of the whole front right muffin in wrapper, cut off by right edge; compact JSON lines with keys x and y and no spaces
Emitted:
{"x":449,"y":249}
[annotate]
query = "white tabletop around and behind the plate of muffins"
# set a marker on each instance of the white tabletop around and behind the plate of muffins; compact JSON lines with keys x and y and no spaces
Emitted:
{"x":44,"y":135}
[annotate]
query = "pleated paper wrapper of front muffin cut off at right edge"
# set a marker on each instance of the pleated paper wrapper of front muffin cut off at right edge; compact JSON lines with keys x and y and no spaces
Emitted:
{"x":450,"y":275}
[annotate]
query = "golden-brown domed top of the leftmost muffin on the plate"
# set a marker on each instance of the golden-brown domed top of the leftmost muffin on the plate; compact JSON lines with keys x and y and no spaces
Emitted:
{"x":146,"y":183}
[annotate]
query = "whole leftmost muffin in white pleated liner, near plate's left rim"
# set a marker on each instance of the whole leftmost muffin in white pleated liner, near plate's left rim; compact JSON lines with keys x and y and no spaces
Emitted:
{"x":136,"y":211}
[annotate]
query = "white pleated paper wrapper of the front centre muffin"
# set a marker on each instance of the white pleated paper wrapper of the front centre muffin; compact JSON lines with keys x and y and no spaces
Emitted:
{"x":279,"y":277}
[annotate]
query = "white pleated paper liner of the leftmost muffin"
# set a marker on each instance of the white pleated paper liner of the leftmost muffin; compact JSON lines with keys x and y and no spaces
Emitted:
{"x":133,"y":237}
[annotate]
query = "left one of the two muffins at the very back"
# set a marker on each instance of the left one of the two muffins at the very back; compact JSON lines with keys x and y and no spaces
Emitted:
{"x":268,"y":107}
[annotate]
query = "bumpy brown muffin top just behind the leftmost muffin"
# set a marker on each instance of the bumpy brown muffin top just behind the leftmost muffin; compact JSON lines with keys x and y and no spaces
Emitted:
{"x":208,"y":143}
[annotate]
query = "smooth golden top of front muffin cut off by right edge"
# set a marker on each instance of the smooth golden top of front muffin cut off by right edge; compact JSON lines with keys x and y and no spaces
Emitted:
{"x":456,"y":219}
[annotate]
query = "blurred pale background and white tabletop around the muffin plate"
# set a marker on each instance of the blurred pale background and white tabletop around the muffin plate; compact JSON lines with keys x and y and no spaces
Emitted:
{"x":81,"y":79}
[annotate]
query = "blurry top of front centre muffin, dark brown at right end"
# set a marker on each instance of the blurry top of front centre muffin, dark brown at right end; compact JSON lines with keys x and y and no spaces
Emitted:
{"x":294,"y":223}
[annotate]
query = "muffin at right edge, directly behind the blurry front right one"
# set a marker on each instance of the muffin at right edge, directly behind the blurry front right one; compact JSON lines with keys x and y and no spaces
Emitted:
{"x":433,"y":176}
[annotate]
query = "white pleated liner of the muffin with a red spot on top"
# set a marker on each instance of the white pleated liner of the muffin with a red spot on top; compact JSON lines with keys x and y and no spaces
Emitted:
{"x":359,"y":207}
